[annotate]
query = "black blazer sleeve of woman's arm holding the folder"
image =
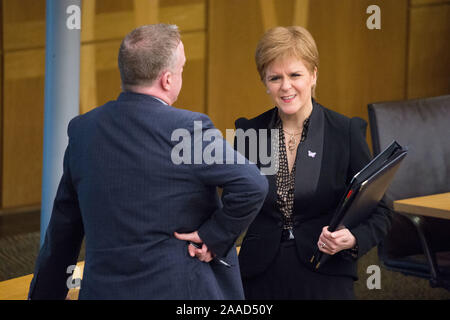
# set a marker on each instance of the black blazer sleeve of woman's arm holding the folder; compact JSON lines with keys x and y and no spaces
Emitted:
{"x":369,"y":233}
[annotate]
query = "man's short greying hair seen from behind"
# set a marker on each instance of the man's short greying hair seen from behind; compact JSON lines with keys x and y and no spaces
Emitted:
{"x":147,"y":51}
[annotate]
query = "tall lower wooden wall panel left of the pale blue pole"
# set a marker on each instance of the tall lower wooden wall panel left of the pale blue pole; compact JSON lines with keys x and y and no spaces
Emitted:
{"x":23,"y":127}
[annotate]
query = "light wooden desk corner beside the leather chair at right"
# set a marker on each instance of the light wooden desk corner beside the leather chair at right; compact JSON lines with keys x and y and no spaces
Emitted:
{"x":436,"y":205}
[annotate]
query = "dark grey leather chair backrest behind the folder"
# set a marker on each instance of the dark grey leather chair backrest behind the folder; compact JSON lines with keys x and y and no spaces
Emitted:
{"x":422,"y":125}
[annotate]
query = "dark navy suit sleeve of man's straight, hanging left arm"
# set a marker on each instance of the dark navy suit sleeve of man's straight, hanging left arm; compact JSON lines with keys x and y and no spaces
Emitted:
{"x":62,"y":242}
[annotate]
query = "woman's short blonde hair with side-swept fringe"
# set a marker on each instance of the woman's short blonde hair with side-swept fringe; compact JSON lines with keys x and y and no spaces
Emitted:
{"x":281,"y":42}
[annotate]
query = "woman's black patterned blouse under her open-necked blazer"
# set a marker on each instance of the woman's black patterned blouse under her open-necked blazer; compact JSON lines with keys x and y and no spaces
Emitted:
{"x":285,"y":180}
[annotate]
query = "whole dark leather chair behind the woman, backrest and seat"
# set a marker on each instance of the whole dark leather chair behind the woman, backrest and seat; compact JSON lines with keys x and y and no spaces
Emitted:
{"x":416,"y":245}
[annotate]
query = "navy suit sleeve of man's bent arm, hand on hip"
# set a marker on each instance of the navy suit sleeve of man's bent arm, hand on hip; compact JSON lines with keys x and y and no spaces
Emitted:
{"x":244,"y":191}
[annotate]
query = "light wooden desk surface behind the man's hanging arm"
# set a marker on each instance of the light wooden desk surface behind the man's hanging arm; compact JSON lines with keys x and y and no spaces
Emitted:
{"x":17,"y":289}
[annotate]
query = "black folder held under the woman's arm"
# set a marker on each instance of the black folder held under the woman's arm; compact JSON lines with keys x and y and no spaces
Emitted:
{"x":364,"y":192}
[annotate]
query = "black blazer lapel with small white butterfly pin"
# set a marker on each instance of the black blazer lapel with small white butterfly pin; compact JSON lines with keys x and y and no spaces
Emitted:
{"x":309,"y":160}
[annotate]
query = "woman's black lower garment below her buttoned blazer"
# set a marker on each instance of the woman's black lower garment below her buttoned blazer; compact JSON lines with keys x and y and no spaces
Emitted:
{"x":288,"y":279}
